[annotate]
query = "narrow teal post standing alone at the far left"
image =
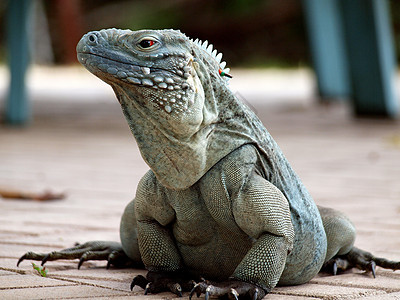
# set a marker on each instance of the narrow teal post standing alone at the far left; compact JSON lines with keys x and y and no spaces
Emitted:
{"x":17,"y":110}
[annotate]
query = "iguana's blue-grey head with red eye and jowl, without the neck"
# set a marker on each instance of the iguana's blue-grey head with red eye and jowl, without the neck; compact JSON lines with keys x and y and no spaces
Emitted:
{"x":160,"y":70}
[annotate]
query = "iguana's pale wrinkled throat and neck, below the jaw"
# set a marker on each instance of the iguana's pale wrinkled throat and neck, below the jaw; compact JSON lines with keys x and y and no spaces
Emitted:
{"x":179,"y":160}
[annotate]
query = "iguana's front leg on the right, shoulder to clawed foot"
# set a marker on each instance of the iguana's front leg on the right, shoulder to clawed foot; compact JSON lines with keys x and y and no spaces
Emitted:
{"x":262,"y":212}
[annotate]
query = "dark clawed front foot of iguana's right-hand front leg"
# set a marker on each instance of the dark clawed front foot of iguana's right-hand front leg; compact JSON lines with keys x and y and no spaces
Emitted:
{"x":232,"y":290}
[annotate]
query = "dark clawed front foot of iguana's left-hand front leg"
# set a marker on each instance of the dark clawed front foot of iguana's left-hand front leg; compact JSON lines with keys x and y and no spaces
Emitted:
{"x":156,"y":282}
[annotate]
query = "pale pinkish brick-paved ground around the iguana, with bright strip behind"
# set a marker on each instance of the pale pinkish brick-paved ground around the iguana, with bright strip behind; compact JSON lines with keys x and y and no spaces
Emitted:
{"x":78,"y":144}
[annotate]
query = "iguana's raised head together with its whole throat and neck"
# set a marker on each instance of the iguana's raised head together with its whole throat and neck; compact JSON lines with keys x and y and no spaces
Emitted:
{"x":172,"y":94}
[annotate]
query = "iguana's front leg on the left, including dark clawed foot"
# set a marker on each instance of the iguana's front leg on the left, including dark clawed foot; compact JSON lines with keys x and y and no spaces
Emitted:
{"x":156,"y":243}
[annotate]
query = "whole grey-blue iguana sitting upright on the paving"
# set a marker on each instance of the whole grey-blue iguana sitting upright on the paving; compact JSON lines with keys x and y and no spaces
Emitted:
{"x":220,"y":211}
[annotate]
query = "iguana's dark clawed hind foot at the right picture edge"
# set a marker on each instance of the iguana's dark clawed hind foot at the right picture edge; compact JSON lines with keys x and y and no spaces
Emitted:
{"x":361,"y":260}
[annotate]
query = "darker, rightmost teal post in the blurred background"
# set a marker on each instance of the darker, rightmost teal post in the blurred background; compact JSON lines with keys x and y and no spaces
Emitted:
{"x":370,"y":51}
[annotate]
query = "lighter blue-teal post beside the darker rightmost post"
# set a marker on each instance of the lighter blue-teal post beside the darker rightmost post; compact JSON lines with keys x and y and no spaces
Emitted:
{"x":325,"y":32}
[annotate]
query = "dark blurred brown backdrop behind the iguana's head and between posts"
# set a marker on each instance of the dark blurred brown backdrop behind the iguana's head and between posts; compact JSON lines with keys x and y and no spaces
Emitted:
{"x":250,"y":33}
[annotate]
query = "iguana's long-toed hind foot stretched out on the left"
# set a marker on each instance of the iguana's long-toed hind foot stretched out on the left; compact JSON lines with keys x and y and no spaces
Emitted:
{"x":94,"y":250}
